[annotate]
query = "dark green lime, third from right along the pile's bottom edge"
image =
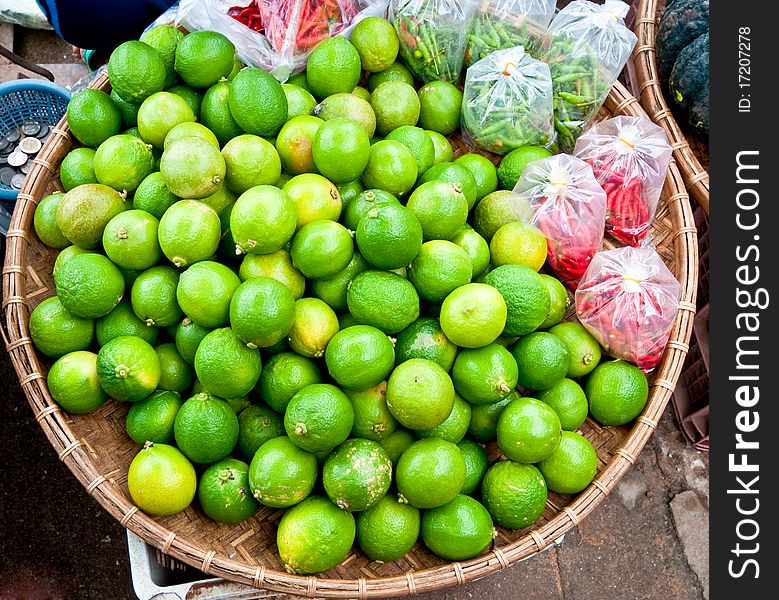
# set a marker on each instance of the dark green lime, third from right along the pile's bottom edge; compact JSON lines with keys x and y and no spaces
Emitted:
{"x":514,"y":493}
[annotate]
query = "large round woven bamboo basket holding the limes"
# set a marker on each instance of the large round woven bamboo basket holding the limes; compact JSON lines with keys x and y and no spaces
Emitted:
{"x":98,"y":451}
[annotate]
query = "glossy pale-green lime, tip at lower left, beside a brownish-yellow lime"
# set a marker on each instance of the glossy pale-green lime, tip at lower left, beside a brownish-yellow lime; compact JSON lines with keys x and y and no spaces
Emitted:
{"x":263,"y":219}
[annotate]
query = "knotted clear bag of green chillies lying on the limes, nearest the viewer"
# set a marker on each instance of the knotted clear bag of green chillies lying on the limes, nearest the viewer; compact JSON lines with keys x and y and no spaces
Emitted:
{"x":507,"y":102}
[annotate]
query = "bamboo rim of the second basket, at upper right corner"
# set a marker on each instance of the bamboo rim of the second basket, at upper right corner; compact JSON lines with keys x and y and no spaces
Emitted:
{"x":650,"y":94}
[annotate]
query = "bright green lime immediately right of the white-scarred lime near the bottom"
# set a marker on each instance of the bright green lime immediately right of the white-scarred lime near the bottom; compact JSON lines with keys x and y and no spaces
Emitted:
{"x":430,"y":473}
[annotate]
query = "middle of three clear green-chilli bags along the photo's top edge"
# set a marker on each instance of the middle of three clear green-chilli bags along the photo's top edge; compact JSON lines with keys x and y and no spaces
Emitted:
{"x":500,"y":24}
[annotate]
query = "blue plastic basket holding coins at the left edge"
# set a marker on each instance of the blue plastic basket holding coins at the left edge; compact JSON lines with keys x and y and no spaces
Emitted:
{"x":25,"y":100}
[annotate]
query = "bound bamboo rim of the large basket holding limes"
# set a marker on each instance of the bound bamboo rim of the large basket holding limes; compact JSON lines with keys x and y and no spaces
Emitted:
{"x":76,"y":456}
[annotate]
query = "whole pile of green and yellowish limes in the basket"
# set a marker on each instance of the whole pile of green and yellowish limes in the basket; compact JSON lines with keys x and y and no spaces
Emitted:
{"x":322,"y":321}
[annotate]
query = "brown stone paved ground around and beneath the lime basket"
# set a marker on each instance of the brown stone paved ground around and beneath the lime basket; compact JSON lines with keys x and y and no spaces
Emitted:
{"x":647,"y":541}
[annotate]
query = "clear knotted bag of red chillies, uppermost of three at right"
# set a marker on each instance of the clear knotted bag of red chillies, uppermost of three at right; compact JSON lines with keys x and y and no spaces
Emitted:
{"x":629,"y":157}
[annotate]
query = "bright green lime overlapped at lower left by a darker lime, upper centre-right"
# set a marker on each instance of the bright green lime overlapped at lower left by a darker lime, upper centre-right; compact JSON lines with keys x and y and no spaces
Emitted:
{"x":441,"y":208}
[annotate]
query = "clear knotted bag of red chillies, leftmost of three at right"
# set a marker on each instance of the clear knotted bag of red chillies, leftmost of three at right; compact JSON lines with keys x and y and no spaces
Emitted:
{"x":559,"y":195}
